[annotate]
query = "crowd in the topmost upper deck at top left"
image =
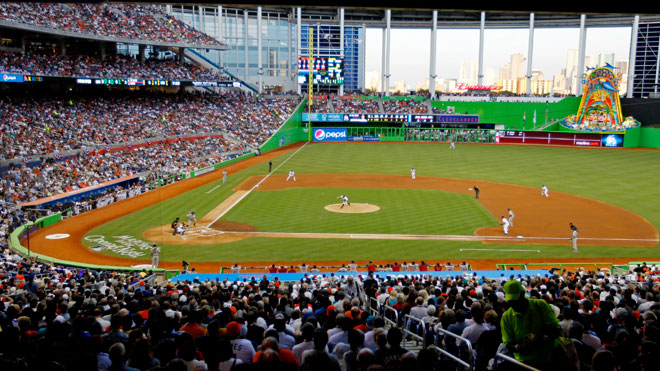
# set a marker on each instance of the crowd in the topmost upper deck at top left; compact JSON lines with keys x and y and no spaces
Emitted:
{"x":118,"y":20}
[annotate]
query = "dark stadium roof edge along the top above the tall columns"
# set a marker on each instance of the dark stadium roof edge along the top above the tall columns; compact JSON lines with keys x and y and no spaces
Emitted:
{"x":411,"y":14}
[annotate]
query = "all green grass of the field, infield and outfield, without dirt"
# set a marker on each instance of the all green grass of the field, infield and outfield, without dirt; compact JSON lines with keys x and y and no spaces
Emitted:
{"x":626,"y":178}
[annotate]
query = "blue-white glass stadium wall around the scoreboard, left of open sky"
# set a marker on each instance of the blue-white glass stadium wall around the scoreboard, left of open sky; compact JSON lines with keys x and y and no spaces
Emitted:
{"x":277,"y":45}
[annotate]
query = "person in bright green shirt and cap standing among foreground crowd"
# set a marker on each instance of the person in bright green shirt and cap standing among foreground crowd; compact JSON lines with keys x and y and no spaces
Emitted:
{"x":529,"y":327}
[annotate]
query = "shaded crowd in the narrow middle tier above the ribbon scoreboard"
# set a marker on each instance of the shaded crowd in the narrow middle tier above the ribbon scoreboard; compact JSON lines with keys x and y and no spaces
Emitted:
{"x":113,"y":66}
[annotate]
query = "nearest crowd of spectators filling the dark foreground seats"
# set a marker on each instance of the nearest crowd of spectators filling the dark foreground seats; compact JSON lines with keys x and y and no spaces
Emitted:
{"x":62,"y":318}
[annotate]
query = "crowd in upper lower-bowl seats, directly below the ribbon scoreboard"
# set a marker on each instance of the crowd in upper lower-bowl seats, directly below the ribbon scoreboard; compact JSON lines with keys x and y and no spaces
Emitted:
{"x":44,"y":125}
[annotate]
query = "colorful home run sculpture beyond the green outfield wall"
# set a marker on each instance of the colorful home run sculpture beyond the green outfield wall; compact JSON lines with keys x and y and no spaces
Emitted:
{"x":600,"y":108}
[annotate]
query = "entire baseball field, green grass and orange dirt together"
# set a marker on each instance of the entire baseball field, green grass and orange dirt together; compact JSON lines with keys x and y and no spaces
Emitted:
{"x":257,"y":218}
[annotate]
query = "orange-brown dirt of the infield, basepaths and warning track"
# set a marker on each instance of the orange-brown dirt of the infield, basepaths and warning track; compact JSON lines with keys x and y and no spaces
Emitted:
{"x":540,"y":220}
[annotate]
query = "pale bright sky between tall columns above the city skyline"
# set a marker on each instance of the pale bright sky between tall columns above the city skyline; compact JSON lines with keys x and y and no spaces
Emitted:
{"x":410,"y":49}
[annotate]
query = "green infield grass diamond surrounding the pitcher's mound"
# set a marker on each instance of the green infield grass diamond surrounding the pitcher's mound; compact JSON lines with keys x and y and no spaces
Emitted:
{"x":402,"y":211}
